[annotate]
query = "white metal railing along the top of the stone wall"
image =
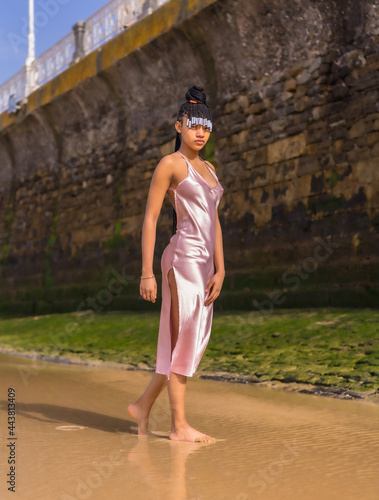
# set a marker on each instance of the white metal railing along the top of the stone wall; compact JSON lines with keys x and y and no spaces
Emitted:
{"x":86,"y":36}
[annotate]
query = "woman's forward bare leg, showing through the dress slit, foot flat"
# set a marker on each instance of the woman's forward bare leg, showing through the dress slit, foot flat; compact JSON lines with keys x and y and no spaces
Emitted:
{"x":180,"y":429}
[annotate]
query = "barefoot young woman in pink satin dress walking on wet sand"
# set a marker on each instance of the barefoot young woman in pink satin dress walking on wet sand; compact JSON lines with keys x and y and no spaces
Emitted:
{"x":189,"y":283}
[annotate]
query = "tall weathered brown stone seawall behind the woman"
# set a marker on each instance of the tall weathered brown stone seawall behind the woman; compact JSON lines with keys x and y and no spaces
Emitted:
{"x":294,"y":92}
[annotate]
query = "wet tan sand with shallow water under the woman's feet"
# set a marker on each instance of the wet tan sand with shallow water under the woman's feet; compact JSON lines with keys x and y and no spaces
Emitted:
{"x":75,"y":440}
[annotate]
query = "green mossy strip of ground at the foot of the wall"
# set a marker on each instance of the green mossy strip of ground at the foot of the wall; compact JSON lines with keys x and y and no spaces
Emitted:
{"x":330,"y":347}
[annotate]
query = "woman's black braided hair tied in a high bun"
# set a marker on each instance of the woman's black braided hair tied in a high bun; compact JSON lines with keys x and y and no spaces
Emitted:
{"x":191,"y":109}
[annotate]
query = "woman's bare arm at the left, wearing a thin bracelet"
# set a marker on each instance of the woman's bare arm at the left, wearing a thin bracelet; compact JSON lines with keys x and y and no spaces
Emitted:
{"x":159,"y":184}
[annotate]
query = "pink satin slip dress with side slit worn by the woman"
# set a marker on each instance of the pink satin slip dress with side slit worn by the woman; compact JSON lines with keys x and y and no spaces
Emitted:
{"x":190,"y":254}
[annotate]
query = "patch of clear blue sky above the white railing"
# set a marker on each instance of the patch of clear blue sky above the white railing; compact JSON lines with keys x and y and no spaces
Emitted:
{"x":53,"y":20}
